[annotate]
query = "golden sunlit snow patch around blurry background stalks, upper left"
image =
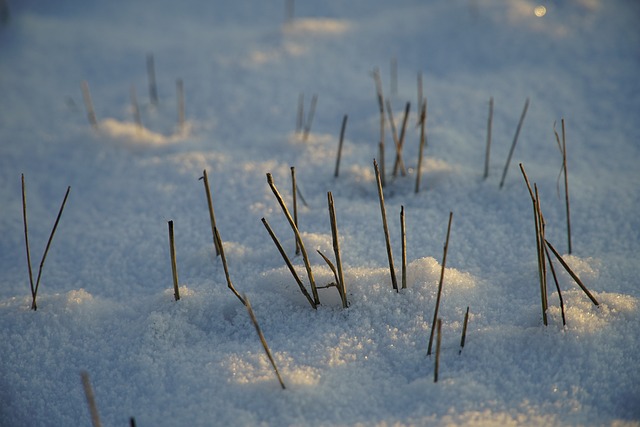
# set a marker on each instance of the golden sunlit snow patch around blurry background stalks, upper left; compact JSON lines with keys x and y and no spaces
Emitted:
{"x":130,"y":132}
